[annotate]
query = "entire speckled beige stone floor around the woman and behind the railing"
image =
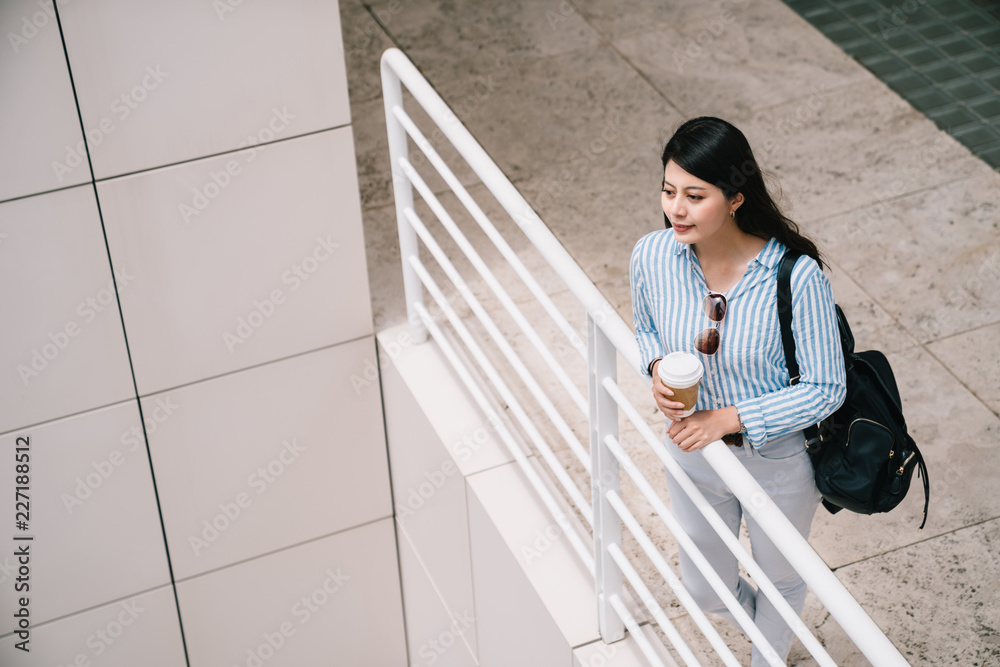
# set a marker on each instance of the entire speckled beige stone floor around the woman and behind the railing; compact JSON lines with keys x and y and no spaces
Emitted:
{"x":573,"y":99}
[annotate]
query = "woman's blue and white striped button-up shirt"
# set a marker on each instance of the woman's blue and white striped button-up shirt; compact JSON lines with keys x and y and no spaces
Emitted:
{"x":749,"y":369}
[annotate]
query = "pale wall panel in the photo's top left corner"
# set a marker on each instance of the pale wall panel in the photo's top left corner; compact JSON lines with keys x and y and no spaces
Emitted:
{"x":40,"y":137}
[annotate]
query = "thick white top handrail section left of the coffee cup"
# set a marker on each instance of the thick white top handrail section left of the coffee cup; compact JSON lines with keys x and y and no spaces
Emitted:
{"x":514,"y":203}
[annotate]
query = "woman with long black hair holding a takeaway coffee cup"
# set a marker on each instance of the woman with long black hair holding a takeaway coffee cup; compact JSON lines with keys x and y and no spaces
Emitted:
{"x":707,"y":285}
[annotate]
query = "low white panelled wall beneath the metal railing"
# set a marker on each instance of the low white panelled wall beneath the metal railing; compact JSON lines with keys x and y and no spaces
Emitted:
{"x":488,"y":578}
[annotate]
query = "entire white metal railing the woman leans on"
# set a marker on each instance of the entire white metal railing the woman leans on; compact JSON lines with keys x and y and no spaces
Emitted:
{"x":607,"y":338}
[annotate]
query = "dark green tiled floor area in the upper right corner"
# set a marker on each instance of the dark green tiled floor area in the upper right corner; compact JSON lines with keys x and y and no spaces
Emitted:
{"x":943,"y":56}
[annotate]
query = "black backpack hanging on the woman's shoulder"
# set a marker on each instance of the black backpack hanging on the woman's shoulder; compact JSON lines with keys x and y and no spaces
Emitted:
{"x":863,"y":456}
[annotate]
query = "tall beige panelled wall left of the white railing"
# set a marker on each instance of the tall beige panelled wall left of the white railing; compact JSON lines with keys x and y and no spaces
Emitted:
{"x":187,"y":344}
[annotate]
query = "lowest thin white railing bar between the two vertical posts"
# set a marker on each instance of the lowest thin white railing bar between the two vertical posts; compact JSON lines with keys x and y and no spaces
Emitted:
{"x":536,"y":482}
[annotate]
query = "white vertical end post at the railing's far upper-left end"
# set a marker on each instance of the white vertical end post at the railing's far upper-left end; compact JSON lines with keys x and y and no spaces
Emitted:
{"x":402,"y":190}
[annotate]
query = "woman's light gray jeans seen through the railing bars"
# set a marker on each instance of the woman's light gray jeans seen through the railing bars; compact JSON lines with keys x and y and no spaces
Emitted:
{"x":782,"y":467}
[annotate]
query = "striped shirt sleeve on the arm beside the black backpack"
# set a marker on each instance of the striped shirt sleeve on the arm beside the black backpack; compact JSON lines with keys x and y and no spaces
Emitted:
{"x":822,"y":387}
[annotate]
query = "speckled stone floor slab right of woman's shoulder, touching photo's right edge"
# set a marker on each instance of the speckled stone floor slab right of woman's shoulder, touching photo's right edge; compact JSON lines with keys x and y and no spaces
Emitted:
{"x":939,"y":268}
